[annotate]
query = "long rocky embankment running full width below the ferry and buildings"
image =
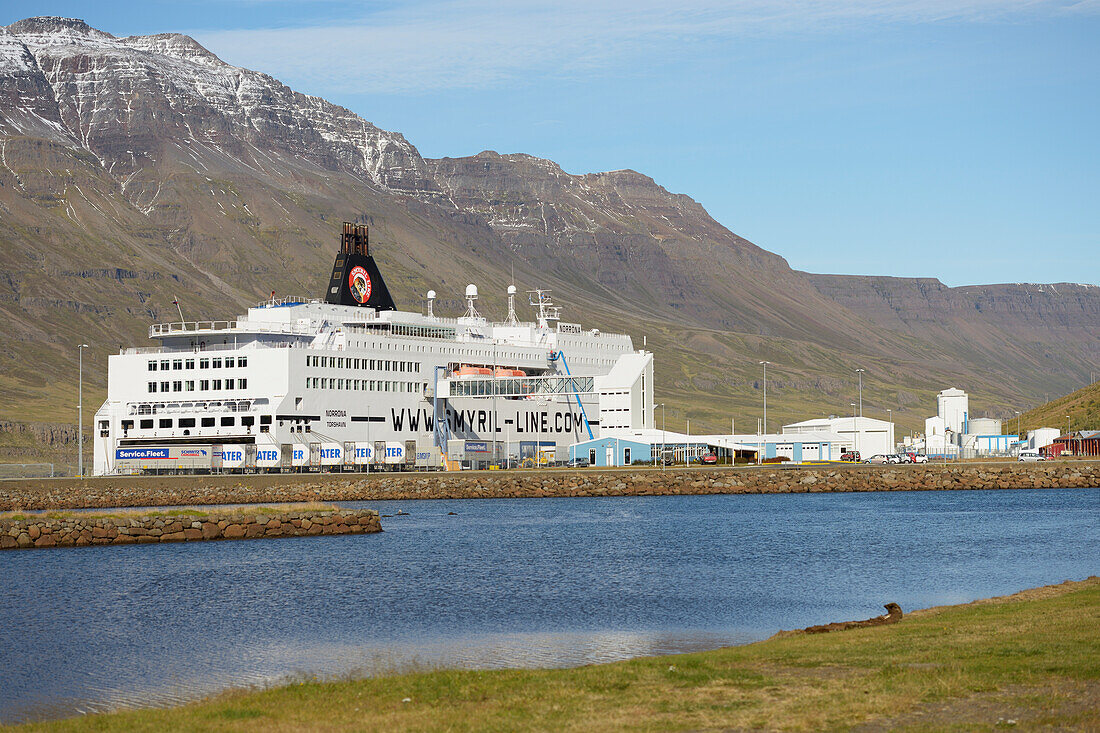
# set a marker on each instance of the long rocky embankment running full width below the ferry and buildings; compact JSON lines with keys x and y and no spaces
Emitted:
{"x":111,"y":493}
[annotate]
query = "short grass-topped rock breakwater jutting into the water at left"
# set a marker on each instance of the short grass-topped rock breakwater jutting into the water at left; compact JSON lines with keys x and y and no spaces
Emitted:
{"x":70,"y":530}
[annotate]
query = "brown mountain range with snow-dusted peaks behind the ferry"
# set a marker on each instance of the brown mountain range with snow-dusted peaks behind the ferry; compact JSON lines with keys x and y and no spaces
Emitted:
{"x":140,"y":171}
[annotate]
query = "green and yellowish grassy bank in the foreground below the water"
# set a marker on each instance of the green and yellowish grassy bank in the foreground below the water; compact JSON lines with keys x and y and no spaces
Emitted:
{"x":1021,"y":662}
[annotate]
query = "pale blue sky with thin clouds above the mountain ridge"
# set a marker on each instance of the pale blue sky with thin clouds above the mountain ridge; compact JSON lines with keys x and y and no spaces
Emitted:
{"x":912,"y":138}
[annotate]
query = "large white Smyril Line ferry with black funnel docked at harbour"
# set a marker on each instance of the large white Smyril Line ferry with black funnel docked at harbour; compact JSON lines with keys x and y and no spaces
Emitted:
{"x":353,"y":384}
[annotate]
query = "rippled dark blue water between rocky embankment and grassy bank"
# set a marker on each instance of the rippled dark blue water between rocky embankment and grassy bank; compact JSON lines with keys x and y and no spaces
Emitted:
{"x":510,"y":583}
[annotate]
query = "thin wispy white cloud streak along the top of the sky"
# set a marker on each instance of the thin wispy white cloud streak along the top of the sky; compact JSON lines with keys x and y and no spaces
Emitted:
{"x":486,"y":43}
